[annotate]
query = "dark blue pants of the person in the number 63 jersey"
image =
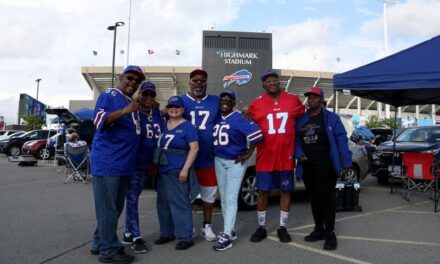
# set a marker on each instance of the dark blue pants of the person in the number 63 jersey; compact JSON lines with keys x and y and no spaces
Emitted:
{"x":135,"y":185}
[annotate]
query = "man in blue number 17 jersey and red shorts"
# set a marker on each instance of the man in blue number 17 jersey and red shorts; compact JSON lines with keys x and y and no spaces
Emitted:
{"x":202,"y":110}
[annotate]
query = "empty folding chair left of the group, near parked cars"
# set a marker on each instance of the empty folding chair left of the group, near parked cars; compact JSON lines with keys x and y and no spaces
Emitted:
{"x":77,"y":163}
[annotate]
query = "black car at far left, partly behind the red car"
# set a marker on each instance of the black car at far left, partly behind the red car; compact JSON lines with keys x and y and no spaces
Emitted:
{"x":12,"y":146}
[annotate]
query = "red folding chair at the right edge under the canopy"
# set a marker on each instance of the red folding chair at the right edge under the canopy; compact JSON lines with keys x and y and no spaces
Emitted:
{"x":421,"y":173}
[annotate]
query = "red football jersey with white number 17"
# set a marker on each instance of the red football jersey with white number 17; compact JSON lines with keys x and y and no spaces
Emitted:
{"x":276,"y":120}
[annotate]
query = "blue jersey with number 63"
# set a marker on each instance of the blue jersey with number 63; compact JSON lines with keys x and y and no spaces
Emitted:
{"x":151,"y":127}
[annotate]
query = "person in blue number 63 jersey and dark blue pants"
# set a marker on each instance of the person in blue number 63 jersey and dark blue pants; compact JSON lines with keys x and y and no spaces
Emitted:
{"x":151,"y":123}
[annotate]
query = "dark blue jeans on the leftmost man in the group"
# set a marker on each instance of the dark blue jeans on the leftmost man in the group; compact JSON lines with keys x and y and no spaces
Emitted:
{"x":109,"y":193}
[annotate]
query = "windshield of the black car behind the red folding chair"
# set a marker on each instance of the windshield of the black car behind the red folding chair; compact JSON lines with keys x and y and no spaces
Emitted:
{"x":420,"y":134}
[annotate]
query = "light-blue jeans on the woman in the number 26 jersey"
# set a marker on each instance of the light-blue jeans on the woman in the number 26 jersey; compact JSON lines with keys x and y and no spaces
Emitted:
{"x":229,"y":176}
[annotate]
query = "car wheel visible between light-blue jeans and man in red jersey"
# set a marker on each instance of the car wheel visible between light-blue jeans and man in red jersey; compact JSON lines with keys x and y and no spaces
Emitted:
{"x":247,"y":198}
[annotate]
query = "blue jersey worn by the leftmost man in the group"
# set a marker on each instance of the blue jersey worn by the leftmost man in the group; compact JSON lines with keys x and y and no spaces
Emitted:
{"x":112,"y":150}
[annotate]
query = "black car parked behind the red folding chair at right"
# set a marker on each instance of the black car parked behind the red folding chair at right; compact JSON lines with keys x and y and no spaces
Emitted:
{"x":414,"y":139}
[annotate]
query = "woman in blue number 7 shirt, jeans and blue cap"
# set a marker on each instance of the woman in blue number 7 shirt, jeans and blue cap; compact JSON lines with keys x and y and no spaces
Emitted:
{"x":178,"y":147}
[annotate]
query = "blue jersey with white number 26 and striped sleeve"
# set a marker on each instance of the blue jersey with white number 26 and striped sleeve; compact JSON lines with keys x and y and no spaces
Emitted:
{"x":232,"y":134}
